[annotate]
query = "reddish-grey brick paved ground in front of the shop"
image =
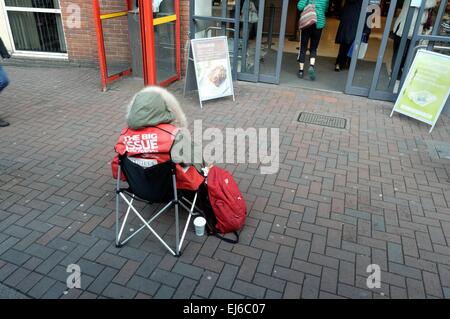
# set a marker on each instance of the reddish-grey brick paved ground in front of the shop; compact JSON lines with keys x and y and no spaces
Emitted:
{"x":342,"y":199}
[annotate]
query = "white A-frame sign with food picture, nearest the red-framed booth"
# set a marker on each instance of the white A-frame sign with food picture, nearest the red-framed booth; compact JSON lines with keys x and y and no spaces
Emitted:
{"x":212,"y":68}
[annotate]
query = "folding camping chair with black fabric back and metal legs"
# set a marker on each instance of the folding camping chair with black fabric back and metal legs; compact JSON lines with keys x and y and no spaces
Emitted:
{"x":154,"y":184}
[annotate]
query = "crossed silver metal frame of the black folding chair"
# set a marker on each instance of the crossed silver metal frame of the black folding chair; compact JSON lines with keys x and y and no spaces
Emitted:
{"x":175,"y":202}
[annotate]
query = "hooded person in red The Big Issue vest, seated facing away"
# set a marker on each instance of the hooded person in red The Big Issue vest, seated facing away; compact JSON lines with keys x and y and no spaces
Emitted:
{"x":156,"y":132}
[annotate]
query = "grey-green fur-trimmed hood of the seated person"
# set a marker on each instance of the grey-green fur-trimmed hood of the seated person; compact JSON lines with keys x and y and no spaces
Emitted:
{"x":154,"y":105}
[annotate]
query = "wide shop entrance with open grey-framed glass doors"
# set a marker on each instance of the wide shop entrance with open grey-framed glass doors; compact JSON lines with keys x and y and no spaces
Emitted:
{"x":263,"y":41}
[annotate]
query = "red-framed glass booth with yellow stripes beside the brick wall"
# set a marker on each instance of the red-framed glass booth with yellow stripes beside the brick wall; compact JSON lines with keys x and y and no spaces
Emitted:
{"x":138,"y":37}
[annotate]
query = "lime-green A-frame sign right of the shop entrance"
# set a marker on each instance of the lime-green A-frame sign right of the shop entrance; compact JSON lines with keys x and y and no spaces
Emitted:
{"x":426,"y":88}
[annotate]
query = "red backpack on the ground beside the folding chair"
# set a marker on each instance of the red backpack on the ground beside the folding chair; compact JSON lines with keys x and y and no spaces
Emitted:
{"x":224,"y":206}
